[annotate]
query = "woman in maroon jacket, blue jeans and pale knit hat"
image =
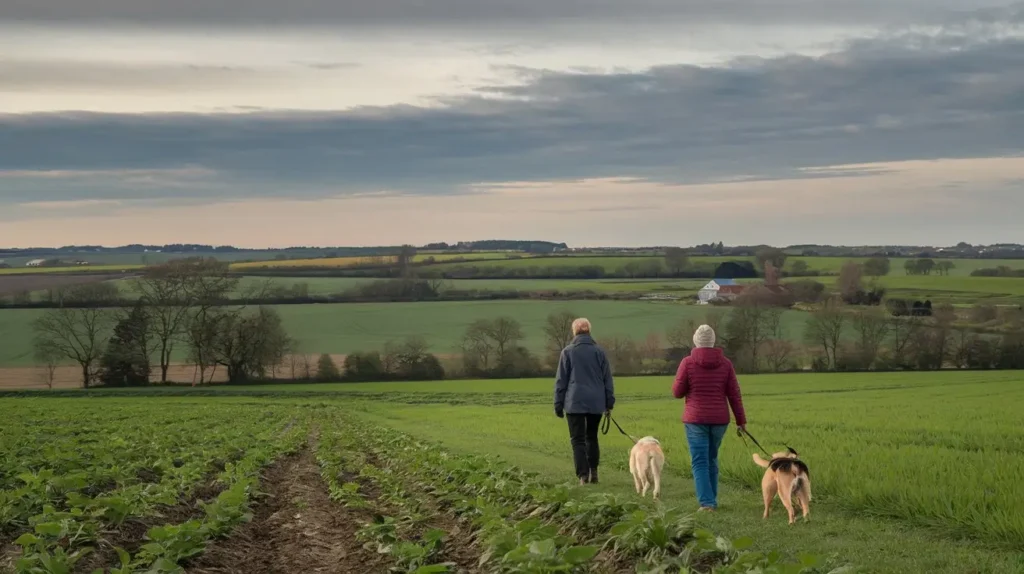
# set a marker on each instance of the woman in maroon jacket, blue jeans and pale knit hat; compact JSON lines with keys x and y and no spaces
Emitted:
{"x":708,"y":381}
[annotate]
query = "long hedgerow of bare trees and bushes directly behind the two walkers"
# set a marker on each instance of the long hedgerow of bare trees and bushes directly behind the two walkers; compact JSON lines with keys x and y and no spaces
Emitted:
{"x":836,"y":339}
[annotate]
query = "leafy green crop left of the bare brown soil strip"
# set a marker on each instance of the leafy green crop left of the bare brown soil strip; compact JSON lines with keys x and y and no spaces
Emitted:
{"x":130,"y":472}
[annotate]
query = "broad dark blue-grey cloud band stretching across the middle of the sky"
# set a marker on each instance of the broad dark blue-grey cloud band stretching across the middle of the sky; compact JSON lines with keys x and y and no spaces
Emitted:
{"x":757,"y":119}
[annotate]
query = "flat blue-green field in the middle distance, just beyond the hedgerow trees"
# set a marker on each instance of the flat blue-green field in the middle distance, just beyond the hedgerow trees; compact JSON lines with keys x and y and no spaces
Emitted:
{"x":347,"y":328}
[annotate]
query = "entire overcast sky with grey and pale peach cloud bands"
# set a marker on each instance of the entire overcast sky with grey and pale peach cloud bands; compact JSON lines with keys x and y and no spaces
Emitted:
{"x":653,"y":122}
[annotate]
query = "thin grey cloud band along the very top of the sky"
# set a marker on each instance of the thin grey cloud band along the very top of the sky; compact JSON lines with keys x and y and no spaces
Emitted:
{"x":498,"y":13}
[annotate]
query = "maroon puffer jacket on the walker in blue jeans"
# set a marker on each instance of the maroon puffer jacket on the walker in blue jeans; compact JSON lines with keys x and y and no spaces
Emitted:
{"x":708,"y":381}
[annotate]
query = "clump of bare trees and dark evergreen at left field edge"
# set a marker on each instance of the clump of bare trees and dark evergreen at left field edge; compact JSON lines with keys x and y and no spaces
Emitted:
{"x":180,"y":304}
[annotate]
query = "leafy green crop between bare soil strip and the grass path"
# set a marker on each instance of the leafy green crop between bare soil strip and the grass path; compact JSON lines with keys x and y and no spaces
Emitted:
{"x":519,"y":522}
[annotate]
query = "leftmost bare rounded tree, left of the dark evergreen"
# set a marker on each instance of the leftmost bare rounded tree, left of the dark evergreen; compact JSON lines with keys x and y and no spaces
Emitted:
{"x":76,"y":332}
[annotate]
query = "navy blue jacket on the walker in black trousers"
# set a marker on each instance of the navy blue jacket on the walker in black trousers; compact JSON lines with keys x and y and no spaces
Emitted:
{"x":584,"y":383}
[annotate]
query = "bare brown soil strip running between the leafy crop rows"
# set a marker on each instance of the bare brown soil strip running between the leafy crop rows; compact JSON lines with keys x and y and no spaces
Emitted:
{"x":296,"y":528}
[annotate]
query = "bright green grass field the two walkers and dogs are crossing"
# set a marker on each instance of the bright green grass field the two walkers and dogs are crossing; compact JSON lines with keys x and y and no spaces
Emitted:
{"x":913,"y":472}
